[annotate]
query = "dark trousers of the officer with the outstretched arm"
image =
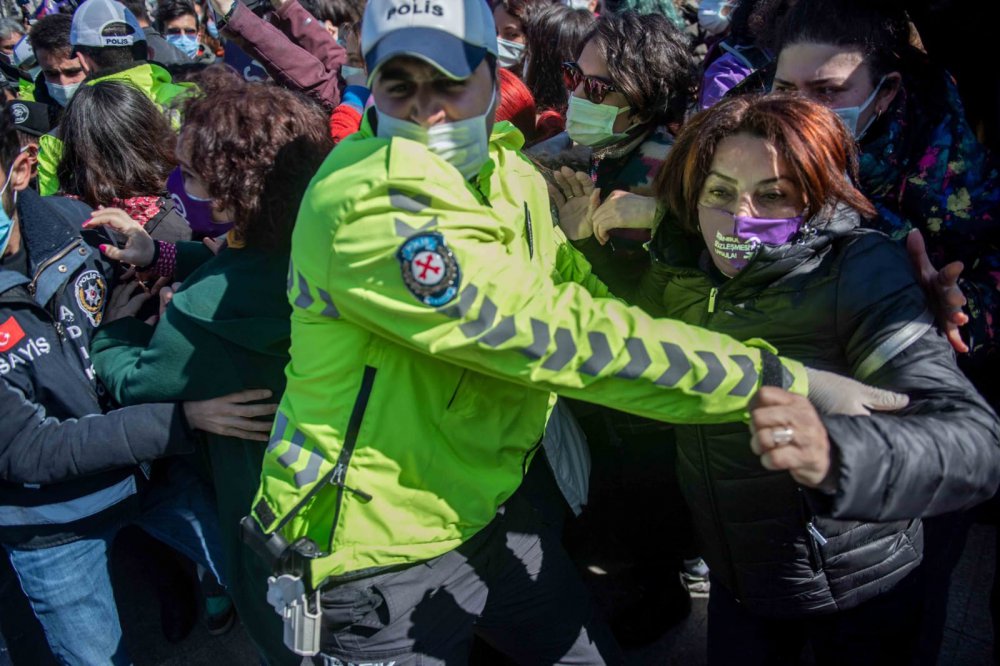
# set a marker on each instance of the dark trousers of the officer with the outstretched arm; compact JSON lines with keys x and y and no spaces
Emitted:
{"x":512,"y":584}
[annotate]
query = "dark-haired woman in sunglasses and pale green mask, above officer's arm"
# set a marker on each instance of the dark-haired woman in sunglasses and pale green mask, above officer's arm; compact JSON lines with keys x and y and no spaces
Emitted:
{"x":629,"y":87}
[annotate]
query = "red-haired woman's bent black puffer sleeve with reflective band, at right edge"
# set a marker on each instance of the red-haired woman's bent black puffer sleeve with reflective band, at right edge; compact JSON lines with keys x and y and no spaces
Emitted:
{"x":940,"y":454}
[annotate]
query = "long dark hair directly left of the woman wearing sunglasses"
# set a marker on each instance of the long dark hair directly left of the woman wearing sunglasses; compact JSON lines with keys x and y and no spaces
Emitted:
{"x":554,"y":36}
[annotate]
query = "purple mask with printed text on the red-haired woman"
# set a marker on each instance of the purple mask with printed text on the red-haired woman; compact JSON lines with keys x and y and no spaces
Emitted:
{"x":734,"y":240}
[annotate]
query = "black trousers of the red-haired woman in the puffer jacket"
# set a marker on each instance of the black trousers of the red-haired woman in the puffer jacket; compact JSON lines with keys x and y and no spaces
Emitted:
{"x":879,"y":632}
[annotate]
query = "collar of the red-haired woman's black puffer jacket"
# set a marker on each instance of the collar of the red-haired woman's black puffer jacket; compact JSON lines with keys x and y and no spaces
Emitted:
{"x":680,"y":252}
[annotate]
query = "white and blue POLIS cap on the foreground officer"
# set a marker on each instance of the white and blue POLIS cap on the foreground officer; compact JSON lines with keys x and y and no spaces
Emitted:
{"x":452,"y":35}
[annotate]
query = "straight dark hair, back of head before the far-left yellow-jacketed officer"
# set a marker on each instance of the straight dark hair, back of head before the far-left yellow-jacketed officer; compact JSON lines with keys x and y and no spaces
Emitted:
{"x":116,"y":144}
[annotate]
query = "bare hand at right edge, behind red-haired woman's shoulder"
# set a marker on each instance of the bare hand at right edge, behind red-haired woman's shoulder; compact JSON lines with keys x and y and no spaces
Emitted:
{"x":945,"y":296}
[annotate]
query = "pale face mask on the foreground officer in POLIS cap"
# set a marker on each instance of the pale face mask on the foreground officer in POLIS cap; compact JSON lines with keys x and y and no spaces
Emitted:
{"x":465,"y":144}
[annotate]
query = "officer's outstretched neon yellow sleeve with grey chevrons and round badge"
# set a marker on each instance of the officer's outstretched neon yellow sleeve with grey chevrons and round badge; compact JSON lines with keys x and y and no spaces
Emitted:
{"x":446,"y":279}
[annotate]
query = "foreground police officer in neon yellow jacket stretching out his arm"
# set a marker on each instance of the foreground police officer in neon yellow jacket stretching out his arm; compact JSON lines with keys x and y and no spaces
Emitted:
{"x":436,"y":313}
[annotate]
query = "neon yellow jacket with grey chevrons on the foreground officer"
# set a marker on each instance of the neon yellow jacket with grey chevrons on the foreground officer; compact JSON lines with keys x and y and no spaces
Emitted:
{"x":432,"y":322}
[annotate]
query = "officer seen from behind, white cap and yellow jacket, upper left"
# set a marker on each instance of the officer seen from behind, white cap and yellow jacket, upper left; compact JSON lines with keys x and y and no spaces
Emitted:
{"x":106,"y":35}
